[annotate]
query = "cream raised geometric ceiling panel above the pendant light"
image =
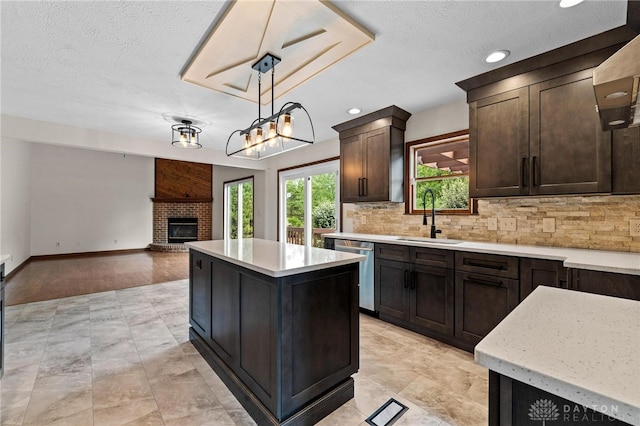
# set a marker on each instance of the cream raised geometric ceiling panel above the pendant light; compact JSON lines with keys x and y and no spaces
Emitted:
{"x":309,"y":36}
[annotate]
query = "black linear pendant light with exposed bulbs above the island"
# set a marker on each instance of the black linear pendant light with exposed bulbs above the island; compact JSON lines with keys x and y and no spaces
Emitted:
{"x":275,"y":134}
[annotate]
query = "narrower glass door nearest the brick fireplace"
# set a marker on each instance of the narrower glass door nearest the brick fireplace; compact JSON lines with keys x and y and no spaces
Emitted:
{"x":238,"y":209}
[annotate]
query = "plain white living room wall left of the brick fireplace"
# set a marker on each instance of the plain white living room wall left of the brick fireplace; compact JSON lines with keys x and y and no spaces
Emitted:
{"x":89,"y":200}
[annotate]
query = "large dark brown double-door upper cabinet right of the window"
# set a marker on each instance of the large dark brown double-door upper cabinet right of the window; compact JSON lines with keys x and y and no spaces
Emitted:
{"x":534,"y":128}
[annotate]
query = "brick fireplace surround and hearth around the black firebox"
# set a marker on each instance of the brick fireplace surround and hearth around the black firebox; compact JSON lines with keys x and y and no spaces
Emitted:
{"x":163,"y":210}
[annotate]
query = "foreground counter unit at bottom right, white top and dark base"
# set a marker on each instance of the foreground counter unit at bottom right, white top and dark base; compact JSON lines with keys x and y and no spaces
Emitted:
{"x":566,"y":357}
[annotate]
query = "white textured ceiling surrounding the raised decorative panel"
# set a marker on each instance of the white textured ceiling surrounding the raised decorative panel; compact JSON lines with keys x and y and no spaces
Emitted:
{"x":116,"y":65}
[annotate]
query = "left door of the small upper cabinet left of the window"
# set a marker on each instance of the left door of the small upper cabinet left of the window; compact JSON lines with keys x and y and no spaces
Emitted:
{"x":351,"y":169}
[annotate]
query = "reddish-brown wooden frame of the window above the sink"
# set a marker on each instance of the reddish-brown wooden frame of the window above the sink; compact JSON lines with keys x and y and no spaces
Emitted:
{"x":409,"y":182}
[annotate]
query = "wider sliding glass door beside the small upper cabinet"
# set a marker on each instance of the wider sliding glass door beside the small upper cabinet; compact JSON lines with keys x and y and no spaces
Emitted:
{"x":309,"y":202}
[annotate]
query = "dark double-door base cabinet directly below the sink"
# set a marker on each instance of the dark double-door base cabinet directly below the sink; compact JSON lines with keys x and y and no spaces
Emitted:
{"x":415,"y":295}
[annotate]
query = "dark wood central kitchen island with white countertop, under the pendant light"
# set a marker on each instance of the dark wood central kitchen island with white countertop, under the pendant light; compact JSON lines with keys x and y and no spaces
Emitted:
{"x":278,"y":323}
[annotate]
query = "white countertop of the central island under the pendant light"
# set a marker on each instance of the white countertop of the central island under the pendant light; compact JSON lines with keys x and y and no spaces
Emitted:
{"x":273,"y":258}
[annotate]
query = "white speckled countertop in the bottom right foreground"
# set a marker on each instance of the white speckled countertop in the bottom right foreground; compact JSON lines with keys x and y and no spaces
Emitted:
{"x":580,"y":346}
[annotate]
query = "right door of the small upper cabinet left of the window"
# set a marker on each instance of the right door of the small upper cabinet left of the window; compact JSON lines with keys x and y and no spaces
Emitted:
{"x":376,"y":146}
